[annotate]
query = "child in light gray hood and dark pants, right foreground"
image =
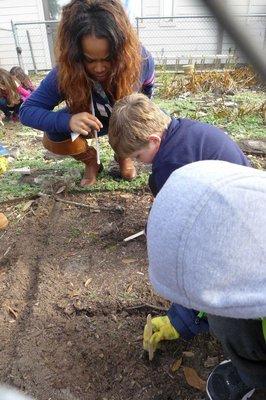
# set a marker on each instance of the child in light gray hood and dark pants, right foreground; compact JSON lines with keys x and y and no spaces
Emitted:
{"x":206,"y":245}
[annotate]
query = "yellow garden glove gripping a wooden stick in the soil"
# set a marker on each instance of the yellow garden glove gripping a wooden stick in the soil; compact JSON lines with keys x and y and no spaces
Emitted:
{"x":163,"y":330}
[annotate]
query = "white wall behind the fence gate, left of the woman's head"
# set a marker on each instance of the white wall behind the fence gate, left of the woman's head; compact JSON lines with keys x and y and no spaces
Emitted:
{"x":23,"y":11}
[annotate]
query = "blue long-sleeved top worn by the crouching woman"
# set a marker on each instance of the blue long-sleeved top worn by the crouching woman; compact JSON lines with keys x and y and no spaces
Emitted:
{"x":37,"y":110}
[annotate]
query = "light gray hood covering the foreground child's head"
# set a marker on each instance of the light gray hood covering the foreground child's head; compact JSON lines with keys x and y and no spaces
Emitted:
{"x":207,"y":239}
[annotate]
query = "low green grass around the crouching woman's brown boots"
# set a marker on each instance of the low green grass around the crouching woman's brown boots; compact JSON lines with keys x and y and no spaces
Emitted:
{"x":64,"y":172}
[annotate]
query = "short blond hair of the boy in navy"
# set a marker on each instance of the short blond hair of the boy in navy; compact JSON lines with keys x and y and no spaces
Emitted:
{"x":134,"y":118}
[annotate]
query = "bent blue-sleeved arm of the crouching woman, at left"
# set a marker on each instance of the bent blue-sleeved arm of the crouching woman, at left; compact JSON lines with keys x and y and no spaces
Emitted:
{"x":37,"y":112}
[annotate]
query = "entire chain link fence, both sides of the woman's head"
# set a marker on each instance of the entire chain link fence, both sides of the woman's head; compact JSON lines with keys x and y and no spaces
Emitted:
{"x":172,"y":41}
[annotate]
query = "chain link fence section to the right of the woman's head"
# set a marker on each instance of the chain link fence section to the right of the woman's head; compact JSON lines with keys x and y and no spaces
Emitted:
{"x":190,"y":39}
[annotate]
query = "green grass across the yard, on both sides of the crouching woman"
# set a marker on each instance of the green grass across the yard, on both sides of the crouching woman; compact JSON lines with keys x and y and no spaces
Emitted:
{"x":242,"y":120}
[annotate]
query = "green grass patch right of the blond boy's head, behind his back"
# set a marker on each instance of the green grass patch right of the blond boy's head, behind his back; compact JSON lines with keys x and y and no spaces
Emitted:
{"x":242,"y":121}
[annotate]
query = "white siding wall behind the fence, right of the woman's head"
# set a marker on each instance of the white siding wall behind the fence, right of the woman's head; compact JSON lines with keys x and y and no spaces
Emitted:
{"x":194,"y":37}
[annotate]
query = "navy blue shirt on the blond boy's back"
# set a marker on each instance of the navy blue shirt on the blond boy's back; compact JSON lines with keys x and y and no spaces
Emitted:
{"x":186,"y":141}
